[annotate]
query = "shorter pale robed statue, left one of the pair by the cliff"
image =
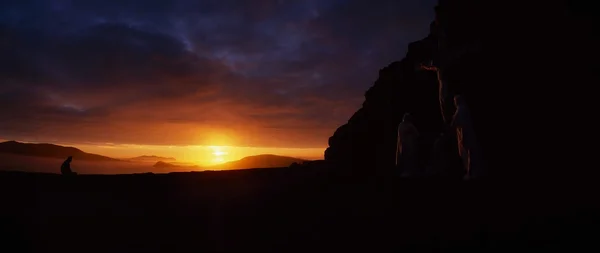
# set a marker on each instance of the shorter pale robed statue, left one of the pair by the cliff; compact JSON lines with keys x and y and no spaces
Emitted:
{"x":406,"y":151}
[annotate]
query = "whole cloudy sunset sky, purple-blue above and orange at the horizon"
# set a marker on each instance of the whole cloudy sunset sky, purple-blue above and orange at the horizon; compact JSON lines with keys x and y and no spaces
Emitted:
{"x":171,"y":78}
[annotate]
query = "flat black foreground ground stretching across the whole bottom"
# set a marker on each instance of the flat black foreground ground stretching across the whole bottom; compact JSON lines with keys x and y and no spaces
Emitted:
{"x":291,"y":210}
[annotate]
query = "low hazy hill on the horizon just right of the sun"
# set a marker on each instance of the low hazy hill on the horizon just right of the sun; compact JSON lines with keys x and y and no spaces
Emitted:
{"x":259,"y":161}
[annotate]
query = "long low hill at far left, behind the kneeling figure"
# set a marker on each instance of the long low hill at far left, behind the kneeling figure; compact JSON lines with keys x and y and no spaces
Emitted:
{"x":49,"y":150}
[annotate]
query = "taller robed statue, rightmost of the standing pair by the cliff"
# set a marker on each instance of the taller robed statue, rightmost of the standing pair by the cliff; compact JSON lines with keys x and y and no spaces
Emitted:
{"x":468,"y":147}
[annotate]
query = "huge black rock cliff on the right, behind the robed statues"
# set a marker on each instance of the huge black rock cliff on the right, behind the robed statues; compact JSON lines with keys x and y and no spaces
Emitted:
{"x":519,"y":66}
